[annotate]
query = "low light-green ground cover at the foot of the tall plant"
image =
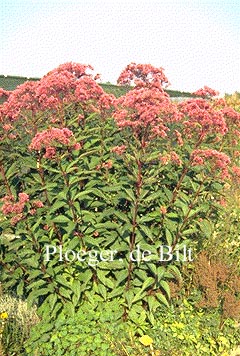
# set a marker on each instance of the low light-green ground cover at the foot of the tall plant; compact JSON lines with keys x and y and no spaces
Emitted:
{"x":100,"y":332}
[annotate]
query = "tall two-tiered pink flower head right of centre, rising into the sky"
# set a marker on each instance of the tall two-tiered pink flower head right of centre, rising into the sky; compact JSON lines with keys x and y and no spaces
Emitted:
{"x":147,"y":108}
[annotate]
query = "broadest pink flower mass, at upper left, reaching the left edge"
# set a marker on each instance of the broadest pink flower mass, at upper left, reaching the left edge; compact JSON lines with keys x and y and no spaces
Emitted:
{"x":69,"y":83}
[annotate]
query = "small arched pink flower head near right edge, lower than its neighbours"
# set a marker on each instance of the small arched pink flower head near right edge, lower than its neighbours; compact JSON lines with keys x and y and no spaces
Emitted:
{"x":219,"y":160}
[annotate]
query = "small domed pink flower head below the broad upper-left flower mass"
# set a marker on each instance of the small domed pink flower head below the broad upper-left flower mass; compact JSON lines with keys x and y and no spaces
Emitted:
{"x":50,"y":138}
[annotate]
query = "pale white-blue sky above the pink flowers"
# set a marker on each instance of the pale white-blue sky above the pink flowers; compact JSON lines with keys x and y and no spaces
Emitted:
{"x":196,"y":42}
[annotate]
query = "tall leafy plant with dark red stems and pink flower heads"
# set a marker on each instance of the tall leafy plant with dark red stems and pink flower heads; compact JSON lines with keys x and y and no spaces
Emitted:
{"x":105,"y":197}
